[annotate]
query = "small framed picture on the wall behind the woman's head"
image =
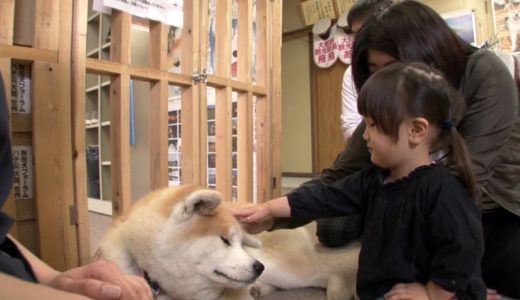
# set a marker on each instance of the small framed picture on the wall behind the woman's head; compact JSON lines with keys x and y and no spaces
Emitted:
{"x":463,"y":23}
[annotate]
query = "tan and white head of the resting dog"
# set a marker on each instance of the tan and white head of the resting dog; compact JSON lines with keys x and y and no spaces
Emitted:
{"x":200,"y":241}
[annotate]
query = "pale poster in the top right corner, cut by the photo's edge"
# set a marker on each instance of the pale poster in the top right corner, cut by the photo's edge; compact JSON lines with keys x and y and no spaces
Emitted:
{"x":506,"y":17}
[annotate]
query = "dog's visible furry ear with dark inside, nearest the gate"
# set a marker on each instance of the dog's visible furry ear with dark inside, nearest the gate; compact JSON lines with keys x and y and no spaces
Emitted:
{"x":202,"y":202}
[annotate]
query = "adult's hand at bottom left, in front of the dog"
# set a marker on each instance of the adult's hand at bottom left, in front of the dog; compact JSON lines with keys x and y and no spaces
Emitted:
{"x":102,"y":280}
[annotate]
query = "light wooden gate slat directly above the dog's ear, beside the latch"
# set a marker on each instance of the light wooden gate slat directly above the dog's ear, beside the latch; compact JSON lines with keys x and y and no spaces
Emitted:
{"x":190,"y":131}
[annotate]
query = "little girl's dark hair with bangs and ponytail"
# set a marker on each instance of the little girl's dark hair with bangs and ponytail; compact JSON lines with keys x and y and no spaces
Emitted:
{"x":413,"y":90}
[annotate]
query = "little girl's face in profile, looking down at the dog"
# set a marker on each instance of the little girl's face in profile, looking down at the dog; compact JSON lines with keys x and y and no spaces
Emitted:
{"x":384,"y":152}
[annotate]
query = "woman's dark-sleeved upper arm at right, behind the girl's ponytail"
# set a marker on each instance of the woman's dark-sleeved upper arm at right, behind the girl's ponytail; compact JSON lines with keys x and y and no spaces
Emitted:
{"x":491,"y":111}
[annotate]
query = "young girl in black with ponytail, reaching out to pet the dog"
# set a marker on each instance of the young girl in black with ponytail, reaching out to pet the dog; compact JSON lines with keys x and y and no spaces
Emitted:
{"x":423,"y":237}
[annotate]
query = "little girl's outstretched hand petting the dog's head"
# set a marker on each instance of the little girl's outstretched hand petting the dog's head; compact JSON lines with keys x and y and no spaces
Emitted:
{"x":254,"y":219}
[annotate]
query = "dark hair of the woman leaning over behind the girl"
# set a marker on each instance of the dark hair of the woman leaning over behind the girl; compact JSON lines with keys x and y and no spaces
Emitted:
{"x":410,"y":31}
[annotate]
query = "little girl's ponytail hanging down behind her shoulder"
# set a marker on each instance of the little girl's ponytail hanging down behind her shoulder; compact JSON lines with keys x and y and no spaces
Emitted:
{"x":460,"y":158}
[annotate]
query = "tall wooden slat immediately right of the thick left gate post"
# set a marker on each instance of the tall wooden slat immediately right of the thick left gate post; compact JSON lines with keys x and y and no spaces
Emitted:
{"x":79,"y":42}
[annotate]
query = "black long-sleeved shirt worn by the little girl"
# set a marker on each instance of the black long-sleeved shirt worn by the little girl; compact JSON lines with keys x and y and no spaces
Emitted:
{"x":422,"y":227}
